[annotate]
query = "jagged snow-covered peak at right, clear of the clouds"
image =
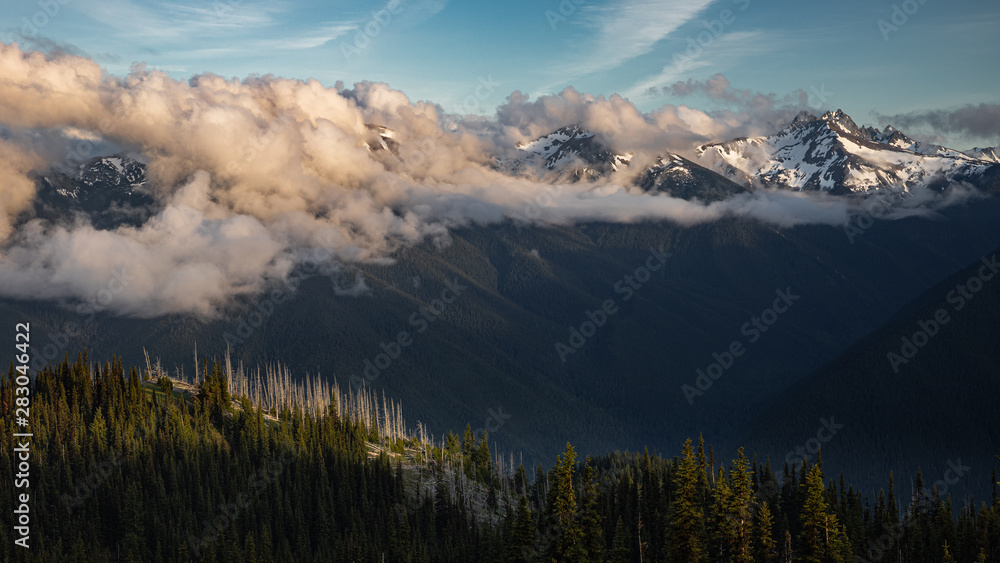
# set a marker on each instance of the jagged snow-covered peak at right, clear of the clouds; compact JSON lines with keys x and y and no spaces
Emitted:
{"x":832,"y":154}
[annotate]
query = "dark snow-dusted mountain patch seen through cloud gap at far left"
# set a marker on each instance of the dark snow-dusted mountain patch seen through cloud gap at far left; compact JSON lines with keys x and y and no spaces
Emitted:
{"x":111,"y":191}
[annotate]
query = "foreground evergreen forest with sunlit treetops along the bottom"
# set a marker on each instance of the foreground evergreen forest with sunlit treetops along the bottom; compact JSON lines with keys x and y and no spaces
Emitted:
{"x":128,"y":467}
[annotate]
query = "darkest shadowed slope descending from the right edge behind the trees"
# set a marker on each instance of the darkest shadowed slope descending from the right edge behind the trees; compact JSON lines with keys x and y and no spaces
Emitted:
{"x":934,"y":358}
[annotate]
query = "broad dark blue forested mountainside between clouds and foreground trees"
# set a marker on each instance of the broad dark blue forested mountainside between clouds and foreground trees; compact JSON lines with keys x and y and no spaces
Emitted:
{"x":525,"y":290}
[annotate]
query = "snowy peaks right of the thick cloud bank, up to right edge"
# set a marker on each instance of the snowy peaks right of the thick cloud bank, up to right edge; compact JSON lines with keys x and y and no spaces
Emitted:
{"x":828,"y":153}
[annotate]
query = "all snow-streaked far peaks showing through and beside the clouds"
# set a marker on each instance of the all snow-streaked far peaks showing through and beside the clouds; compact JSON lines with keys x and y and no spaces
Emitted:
{"x":828,"y":154}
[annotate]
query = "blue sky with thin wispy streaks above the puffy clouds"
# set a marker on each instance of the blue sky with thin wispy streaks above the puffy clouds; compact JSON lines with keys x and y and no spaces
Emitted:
{"x":942,"y":56}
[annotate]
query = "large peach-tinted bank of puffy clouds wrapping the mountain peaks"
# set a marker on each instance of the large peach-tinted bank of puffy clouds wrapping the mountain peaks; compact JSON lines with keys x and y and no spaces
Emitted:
{"x":253,"y":177}
